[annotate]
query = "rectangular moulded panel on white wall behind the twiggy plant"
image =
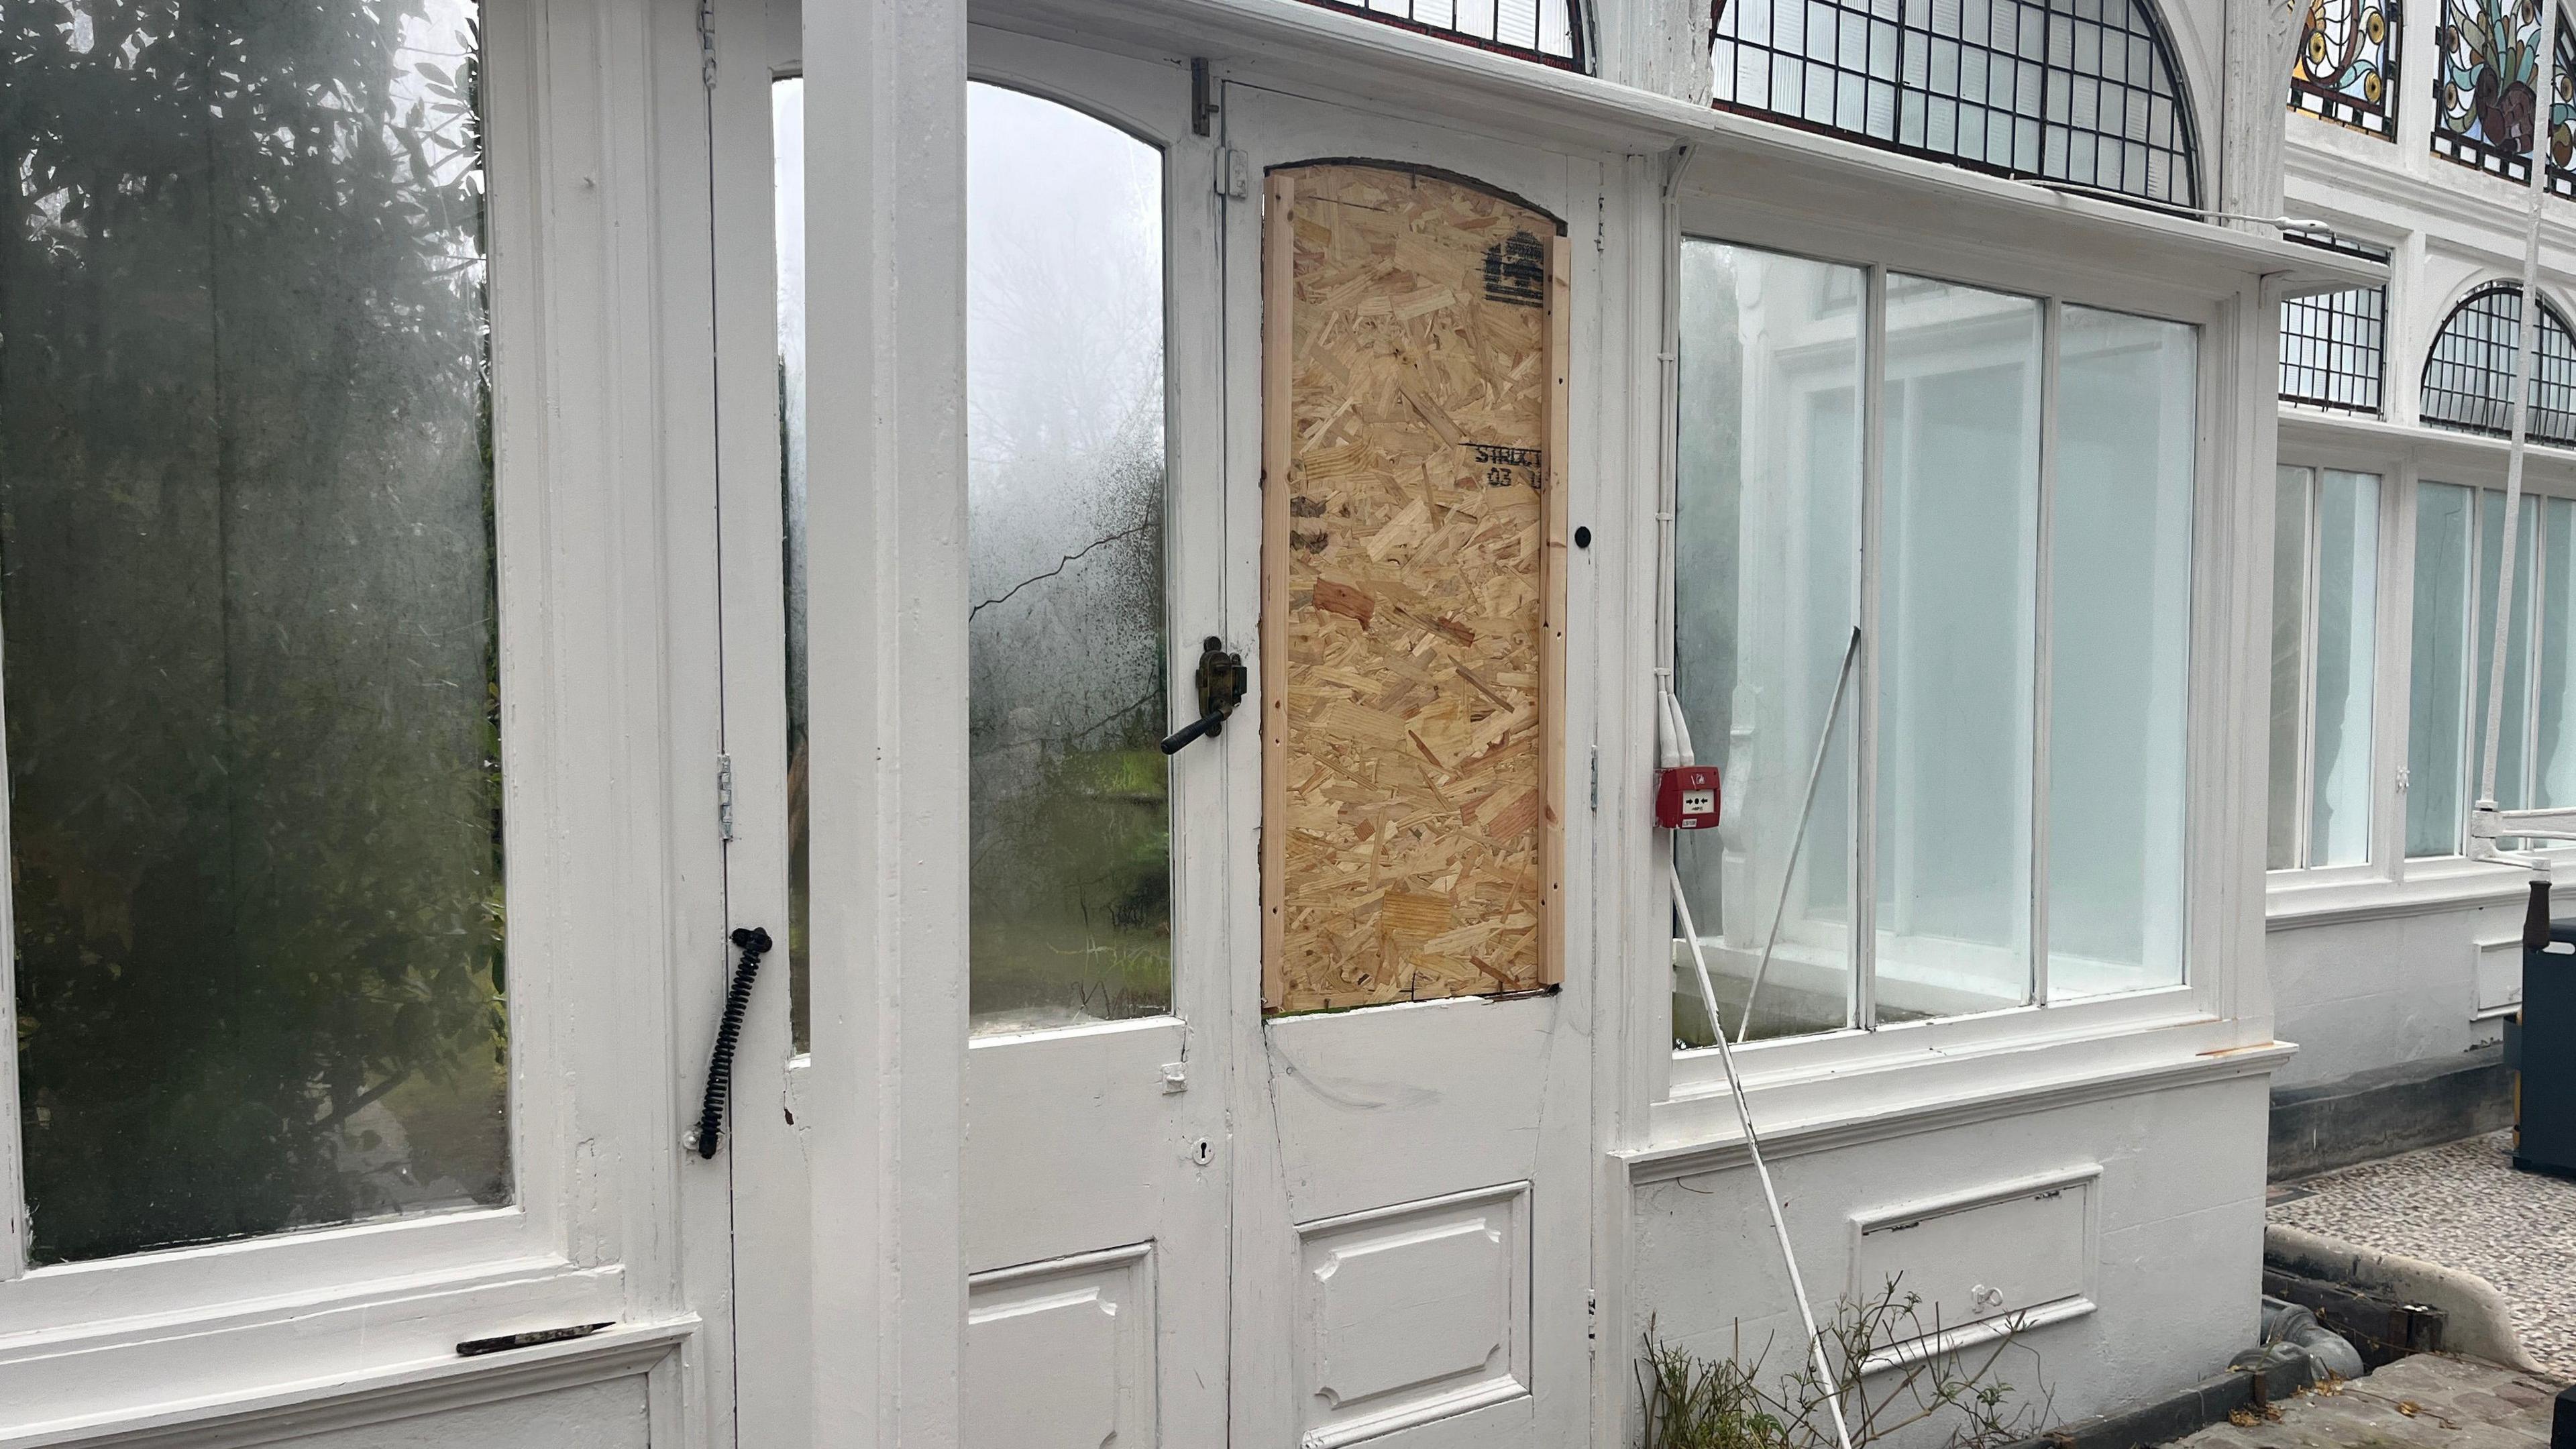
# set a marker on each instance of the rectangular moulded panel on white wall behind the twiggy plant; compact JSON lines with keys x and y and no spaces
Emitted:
{"x":1987,"y":1262}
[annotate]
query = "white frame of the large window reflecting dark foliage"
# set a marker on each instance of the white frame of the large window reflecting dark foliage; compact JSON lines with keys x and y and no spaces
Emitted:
{"x":591,"y":427}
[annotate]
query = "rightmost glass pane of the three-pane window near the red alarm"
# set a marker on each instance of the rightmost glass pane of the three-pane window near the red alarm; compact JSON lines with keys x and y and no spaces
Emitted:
{"x":2119,"y":651}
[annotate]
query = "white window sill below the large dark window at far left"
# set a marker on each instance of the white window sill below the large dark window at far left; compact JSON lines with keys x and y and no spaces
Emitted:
{"x":133,"y":1373}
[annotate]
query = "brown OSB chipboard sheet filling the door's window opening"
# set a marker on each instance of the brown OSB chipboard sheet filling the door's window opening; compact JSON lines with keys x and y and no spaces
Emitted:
{"x":1413,"y":633}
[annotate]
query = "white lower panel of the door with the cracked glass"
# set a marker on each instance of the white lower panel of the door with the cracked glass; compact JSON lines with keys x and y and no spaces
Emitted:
{"x":1063,"y":1355}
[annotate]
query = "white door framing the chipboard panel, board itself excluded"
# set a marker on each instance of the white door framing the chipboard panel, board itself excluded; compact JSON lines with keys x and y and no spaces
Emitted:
{"x":1410,"y":1205}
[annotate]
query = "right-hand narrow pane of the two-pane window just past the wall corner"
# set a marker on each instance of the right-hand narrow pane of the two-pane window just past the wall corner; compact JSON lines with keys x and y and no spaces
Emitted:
{"x":2348,"y":592}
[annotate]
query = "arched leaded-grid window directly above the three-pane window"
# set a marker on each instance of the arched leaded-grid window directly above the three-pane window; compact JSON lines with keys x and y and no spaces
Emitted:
{"x":2080,"y":92}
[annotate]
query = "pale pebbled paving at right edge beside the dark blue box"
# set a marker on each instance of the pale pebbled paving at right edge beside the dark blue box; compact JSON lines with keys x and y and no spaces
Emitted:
{"x":2461,"y":1208}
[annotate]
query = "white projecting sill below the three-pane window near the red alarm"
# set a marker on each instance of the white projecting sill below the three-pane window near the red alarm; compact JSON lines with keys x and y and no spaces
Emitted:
{"x":1936,"y":1087}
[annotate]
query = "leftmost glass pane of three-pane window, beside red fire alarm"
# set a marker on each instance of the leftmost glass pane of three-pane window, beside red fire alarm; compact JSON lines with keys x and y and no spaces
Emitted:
{"x":1766,"y":543}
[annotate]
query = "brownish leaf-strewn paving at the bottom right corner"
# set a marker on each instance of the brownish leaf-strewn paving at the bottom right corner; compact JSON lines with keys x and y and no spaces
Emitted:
{"x":2415,"y":1404}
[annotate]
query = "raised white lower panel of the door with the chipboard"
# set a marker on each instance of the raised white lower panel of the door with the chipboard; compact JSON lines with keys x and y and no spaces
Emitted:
{"x":1413,"y":1314}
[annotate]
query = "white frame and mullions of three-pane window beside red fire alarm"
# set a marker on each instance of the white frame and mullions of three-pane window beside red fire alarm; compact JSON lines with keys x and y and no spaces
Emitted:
{"x":1830,"y":1076}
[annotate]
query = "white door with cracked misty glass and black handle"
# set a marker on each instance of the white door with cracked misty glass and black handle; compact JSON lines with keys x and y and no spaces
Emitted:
{"x":1096,"y":1092}
